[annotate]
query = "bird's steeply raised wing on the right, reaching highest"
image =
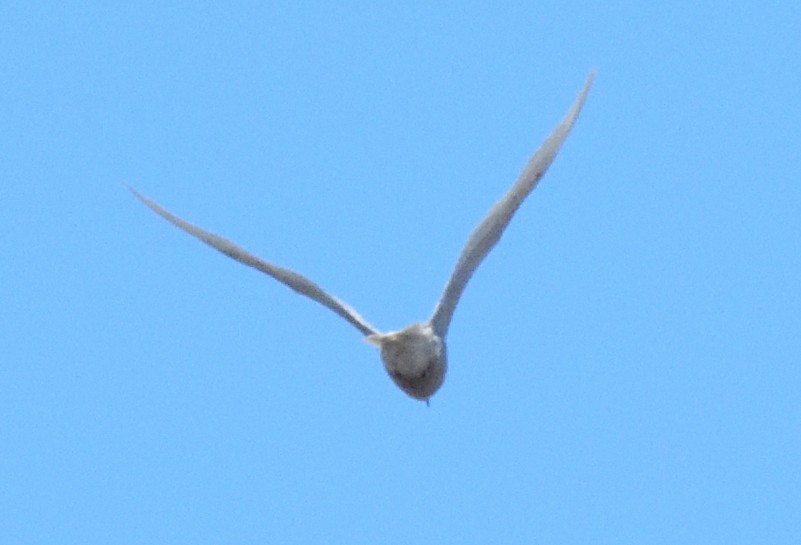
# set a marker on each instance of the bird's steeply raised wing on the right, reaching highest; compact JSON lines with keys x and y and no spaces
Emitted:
{"x":486,"y":235}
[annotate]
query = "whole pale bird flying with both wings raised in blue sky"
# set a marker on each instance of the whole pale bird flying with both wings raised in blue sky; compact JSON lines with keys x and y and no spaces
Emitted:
{"x":414,"y":357}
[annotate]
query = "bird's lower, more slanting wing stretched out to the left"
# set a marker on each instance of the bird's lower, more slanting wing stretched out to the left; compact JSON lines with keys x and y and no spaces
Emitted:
{"x":299,"y":283}
